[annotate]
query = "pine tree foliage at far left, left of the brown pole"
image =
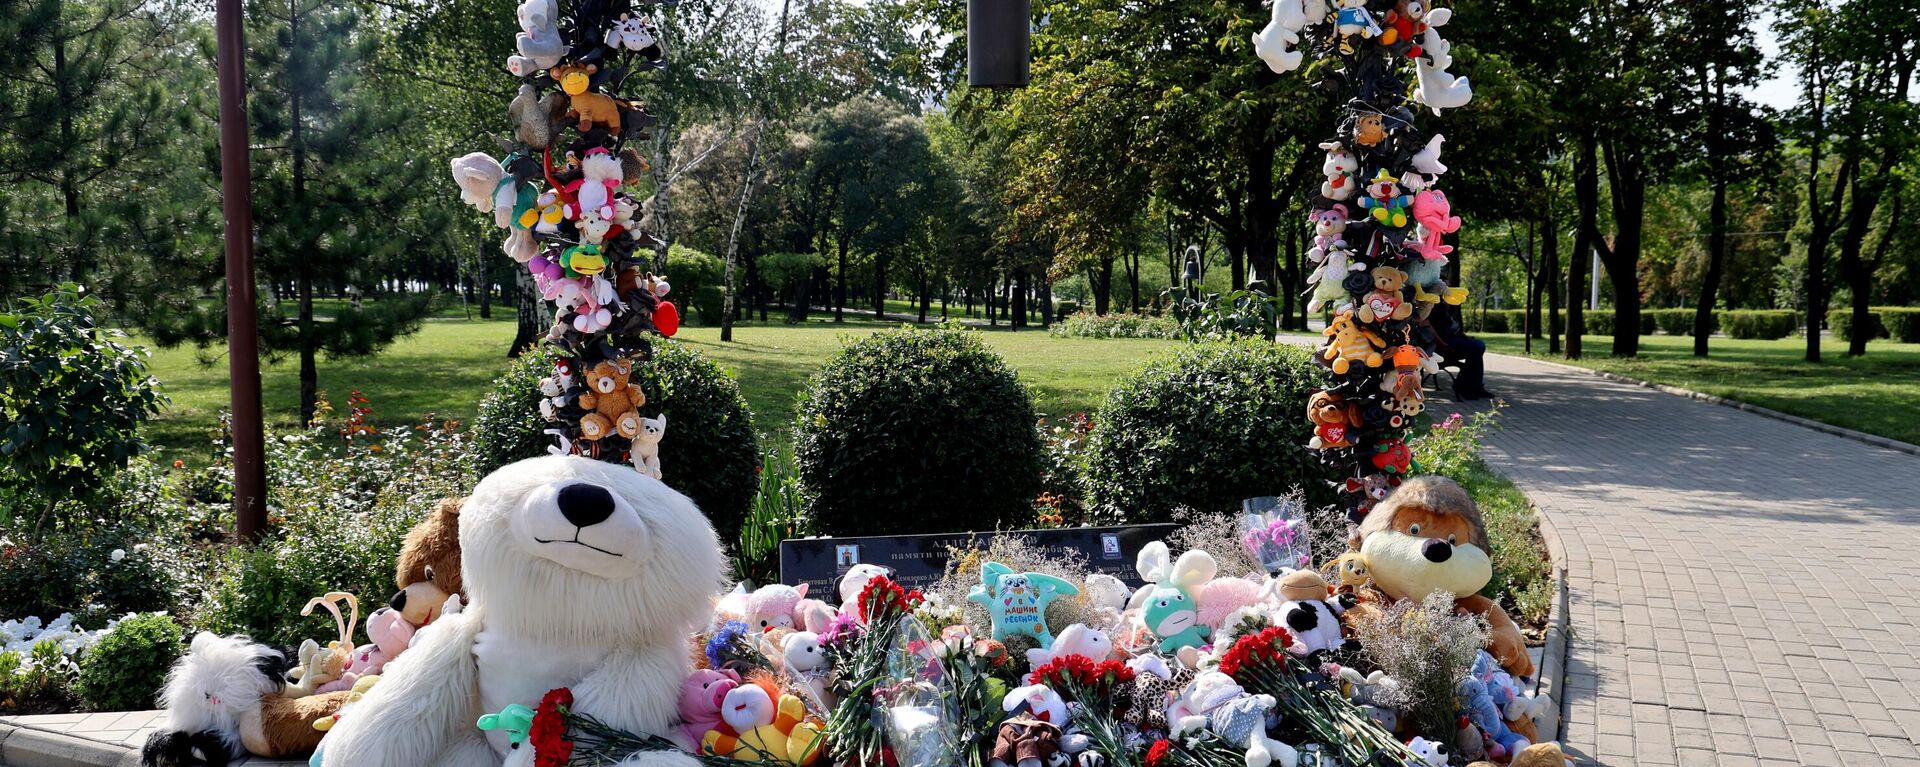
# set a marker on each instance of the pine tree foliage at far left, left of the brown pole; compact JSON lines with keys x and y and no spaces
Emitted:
{"x":93,"y":107}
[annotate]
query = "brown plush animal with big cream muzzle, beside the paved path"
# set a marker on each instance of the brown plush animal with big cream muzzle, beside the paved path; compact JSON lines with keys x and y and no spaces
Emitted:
{"x":1428,"y":537}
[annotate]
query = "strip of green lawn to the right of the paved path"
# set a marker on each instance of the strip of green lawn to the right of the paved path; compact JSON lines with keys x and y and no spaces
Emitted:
{"x":1877,"y":393}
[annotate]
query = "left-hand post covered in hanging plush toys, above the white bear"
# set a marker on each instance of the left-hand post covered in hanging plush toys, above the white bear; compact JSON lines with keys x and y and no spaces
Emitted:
{"x":564,"y":197}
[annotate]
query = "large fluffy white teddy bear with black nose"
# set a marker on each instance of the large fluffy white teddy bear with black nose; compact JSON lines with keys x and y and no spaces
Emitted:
{"x":579,"y":574}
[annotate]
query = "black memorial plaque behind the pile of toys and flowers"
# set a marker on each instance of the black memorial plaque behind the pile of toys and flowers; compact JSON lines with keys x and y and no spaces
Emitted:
{"x":921,"y":560}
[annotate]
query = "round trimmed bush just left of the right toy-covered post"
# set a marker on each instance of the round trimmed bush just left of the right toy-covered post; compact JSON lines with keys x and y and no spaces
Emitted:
{"x":1203,"y":430}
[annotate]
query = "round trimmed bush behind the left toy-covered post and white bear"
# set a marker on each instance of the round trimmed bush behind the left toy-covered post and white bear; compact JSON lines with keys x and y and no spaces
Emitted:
{"x":709,"y":453}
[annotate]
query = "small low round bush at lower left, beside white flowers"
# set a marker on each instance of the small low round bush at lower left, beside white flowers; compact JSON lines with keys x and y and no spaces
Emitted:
{"x":128,"y":668}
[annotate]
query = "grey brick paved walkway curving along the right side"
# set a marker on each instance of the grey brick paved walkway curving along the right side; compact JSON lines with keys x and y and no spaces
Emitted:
{"x":1740,"y":587}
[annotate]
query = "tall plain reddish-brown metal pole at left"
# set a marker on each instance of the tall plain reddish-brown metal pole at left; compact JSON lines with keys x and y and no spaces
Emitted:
{"x":243,"y":337}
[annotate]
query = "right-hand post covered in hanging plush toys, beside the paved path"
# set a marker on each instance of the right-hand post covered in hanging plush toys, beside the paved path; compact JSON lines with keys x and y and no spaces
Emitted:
{"x":1380,"y":224}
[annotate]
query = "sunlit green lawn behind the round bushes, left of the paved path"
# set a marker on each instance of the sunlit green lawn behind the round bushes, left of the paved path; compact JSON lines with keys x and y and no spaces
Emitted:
{"x":444,"y":370}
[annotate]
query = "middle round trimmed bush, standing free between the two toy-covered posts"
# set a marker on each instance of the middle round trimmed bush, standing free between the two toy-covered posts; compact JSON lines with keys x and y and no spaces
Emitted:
{"x":919,"y":432}
